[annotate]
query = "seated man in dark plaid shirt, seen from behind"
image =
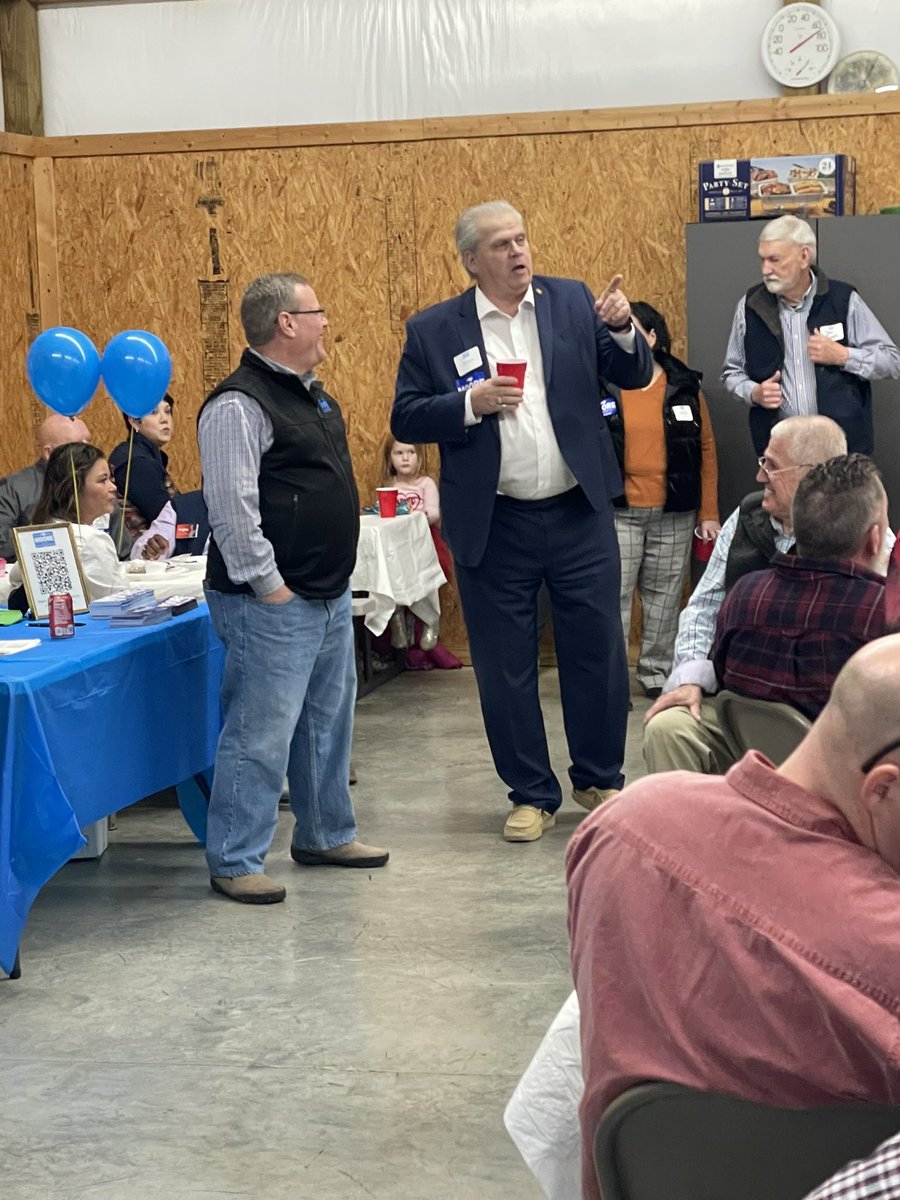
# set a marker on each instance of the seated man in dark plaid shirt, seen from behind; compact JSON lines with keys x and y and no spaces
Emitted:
{"x":784,"y":634}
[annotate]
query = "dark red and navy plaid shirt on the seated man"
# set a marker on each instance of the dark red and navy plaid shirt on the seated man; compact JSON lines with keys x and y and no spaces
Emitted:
{"x":785,"y":633}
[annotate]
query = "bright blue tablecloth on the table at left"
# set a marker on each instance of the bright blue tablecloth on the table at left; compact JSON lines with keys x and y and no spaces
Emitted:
{"x":89,"y":725}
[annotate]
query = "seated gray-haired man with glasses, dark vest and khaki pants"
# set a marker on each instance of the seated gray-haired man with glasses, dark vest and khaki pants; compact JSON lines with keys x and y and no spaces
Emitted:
{"x":676,"y":725}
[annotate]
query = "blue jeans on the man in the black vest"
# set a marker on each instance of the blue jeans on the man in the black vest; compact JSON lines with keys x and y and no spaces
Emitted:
{"x":289,"y":694}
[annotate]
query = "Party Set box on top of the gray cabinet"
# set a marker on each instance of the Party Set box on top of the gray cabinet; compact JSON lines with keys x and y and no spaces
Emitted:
{"x":815,"y":185}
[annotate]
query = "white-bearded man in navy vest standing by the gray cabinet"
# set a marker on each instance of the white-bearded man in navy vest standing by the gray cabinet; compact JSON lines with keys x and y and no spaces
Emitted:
{"x":802,"y":344}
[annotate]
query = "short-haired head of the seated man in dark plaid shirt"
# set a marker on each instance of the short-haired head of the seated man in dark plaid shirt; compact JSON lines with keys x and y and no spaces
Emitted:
{"x":836,"y":506}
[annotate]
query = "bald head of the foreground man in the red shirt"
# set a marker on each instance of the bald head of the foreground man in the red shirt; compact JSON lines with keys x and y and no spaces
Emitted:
{"x":860,"y":728}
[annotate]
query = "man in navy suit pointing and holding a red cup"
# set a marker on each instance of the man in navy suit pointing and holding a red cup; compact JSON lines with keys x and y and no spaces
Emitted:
{"x":527,"y":475}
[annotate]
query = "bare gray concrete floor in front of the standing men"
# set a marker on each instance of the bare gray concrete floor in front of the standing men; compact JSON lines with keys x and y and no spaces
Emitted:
{"x":361,"y":1040}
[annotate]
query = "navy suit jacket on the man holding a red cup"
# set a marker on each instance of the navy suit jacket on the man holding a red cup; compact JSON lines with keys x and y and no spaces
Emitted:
{"x":577,"y":351}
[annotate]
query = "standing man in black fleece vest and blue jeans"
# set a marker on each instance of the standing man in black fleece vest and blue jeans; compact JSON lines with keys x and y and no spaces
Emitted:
{"x":285,"y":518}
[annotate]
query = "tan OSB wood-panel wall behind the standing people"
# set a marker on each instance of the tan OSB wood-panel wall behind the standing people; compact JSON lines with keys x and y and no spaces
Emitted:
{"x":167,"y":238}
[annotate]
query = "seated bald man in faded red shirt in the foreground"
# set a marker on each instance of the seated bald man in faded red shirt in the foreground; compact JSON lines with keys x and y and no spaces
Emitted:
{"x":740,"y":934}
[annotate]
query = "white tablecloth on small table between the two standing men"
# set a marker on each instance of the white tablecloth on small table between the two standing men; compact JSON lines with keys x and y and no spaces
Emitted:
{"x":398,"y":565}
